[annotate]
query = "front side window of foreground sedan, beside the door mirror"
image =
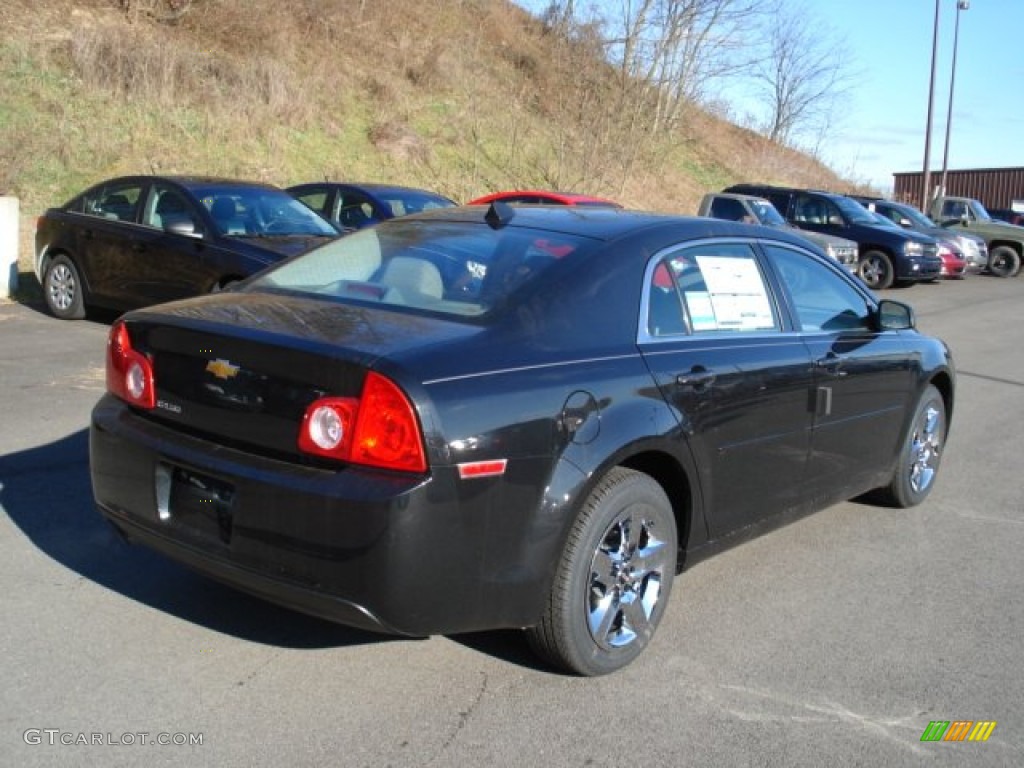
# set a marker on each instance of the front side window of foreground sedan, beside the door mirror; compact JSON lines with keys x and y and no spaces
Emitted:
{"x":822,"y":300}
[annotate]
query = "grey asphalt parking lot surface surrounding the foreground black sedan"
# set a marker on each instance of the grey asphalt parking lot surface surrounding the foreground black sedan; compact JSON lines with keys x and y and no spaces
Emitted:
{"x":836,"y":641}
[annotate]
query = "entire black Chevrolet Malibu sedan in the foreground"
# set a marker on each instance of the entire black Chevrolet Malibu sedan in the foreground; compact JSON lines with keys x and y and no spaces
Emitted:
{"x":502,"y":417}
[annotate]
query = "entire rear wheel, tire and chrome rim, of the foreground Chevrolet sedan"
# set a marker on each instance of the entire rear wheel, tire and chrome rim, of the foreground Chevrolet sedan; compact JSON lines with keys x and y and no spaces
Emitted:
{"x":615,"y":578}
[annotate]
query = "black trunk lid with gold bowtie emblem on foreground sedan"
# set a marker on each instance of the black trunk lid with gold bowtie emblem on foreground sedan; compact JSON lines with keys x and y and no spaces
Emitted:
{"x":241,"y":369}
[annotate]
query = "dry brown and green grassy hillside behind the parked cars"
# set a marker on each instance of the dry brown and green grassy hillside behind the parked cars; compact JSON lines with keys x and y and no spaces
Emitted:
{"x":462,"y":97}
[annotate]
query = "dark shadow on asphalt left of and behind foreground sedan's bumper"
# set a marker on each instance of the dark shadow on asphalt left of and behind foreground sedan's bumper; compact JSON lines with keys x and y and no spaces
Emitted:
{"x":48,"y":494}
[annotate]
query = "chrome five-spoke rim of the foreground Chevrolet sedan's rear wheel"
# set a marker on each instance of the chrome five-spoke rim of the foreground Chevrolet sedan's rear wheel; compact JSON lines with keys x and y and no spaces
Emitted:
{"x":626,"y":577}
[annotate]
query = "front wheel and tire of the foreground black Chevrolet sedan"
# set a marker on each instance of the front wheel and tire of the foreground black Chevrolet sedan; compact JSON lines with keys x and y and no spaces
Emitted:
{"x":921,"y":454}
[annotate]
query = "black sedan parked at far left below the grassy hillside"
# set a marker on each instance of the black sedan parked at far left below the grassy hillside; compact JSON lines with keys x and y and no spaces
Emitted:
{"x":142,"y":240}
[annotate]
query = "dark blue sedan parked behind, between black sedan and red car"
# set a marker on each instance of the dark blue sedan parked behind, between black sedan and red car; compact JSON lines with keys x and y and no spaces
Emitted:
{"x":354,"y":207}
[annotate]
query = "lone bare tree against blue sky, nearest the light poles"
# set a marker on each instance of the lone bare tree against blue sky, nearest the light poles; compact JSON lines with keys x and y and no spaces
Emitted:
{"x":801,"y":77}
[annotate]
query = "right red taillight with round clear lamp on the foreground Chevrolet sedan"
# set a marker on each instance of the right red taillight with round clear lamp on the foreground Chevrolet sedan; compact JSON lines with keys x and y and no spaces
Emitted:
{"x":379,"y":430}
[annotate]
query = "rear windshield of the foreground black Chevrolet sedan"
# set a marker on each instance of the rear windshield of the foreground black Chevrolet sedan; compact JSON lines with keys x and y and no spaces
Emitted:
{"x":459,"y":269}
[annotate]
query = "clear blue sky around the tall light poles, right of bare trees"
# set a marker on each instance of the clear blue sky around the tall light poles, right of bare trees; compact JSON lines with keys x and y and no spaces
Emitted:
{"x":889,"y":44}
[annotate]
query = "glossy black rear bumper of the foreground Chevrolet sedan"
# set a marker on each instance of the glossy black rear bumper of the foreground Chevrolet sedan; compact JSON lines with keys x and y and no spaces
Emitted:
{"x":374,"y":550}
